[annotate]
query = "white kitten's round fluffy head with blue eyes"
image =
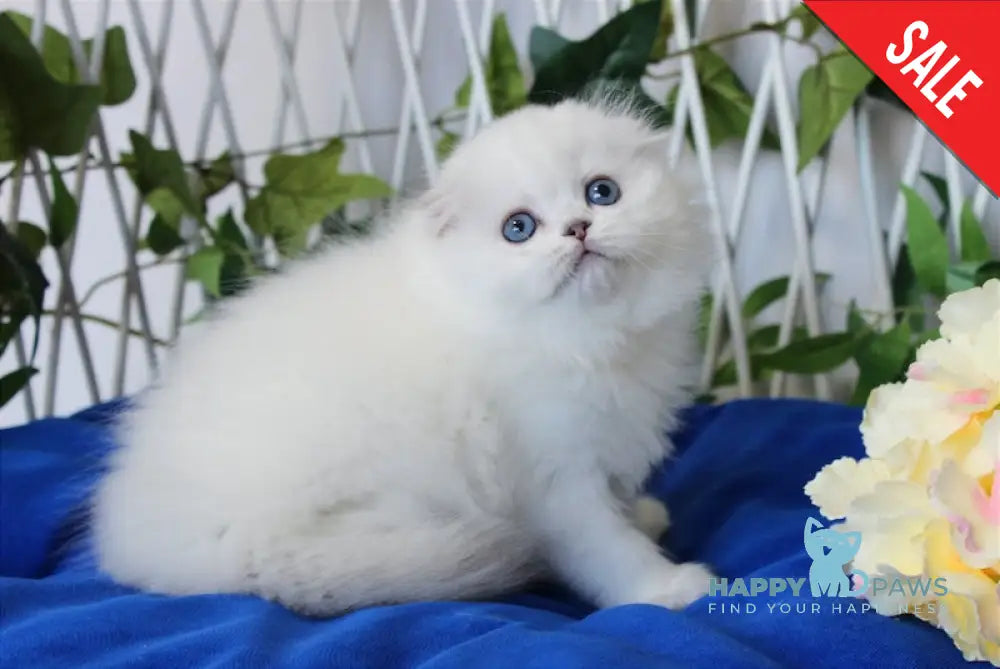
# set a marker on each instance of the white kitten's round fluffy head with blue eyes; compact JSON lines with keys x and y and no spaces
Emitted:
{"x":553,"y":214}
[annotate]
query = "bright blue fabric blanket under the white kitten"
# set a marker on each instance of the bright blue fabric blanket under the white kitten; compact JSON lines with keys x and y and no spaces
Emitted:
{"x":735,"y":494}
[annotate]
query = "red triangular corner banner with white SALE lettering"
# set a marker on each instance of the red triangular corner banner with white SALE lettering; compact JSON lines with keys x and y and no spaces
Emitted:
{"x":942,"y":58}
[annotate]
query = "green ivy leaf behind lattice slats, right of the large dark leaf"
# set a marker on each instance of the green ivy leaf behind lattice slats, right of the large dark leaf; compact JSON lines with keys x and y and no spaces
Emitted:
{"x":727,"y":103}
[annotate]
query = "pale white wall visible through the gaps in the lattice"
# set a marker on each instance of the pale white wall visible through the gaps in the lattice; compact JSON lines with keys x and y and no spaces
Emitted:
{"x":346,"y":47}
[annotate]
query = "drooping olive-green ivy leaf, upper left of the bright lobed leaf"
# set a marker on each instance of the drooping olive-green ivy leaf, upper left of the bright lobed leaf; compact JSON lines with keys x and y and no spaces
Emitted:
{"x":161,"y":178}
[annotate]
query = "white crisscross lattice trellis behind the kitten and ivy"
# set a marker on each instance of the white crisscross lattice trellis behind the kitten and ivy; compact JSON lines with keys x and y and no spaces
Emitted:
{"x":377,"y":72}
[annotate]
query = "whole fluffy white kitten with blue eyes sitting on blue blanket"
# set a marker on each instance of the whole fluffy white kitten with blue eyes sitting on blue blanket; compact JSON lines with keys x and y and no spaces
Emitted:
{"x":465,"y":401}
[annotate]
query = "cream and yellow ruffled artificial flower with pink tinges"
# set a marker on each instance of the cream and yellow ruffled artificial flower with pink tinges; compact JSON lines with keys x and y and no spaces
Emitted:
{"x":926,"y":499}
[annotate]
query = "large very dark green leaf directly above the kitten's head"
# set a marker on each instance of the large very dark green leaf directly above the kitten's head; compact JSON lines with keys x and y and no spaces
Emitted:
{"x":618,"y":51}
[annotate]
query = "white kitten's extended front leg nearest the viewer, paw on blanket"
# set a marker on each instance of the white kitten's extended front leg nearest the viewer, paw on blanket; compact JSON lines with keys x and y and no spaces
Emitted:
{"x":591,"y":543}
